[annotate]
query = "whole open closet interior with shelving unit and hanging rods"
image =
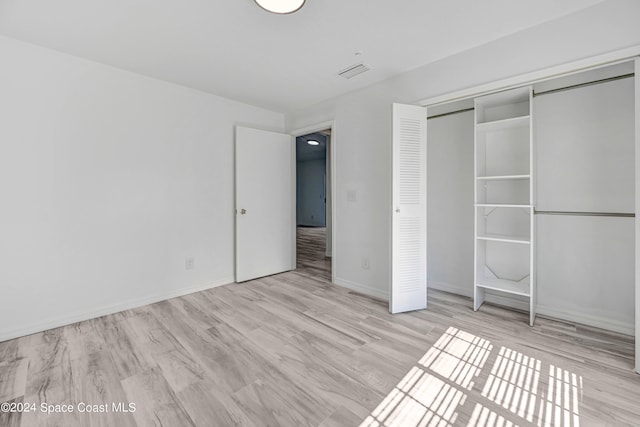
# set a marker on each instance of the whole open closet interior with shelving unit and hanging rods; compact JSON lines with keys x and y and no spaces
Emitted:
{"x":580,"y":186}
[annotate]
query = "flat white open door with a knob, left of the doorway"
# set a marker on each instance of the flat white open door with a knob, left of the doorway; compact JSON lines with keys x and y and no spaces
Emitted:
{"x":265,"y":224}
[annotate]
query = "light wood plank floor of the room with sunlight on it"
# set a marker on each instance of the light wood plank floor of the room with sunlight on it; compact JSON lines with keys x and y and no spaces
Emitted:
{"x":295,"y":350}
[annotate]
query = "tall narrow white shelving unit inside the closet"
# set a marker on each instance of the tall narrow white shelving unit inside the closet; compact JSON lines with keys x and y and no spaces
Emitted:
{"x":504,"y":205}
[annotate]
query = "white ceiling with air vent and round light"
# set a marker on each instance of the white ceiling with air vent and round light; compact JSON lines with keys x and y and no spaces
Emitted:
{"x":235,"y":49}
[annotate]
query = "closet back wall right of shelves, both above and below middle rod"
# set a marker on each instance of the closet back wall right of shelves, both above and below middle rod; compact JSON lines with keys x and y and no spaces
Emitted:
{"x":585,"y":163}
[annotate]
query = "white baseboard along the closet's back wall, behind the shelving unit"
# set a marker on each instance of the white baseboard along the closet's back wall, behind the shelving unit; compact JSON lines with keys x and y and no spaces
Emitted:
{"x":544,"y":311}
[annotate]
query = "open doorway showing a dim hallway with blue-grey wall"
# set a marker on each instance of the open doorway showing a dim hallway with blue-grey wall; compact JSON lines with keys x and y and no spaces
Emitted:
{"x":313,"y":204}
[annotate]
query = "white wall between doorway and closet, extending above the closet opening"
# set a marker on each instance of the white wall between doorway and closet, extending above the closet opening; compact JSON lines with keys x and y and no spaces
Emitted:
{"x":363,"y":118}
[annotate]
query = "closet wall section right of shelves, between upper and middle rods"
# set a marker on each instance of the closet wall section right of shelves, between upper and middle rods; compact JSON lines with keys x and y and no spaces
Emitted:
{"x":585,"y":147}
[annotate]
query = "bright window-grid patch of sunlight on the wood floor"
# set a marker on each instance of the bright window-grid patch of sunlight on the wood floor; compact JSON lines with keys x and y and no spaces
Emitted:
{"x":435,"y":392}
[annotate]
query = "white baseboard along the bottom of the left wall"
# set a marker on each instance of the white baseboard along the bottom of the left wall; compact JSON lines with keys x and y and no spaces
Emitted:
{"x":82,"y":315}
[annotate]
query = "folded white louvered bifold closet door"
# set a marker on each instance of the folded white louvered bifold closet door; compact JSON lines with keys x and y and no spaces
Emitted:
{"x":409,"y":223}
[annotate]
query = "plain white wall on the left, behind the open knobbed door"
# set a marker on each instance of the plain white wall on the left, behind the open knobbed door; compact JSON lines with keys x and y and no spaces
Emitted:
{"x":109,"y":180}
